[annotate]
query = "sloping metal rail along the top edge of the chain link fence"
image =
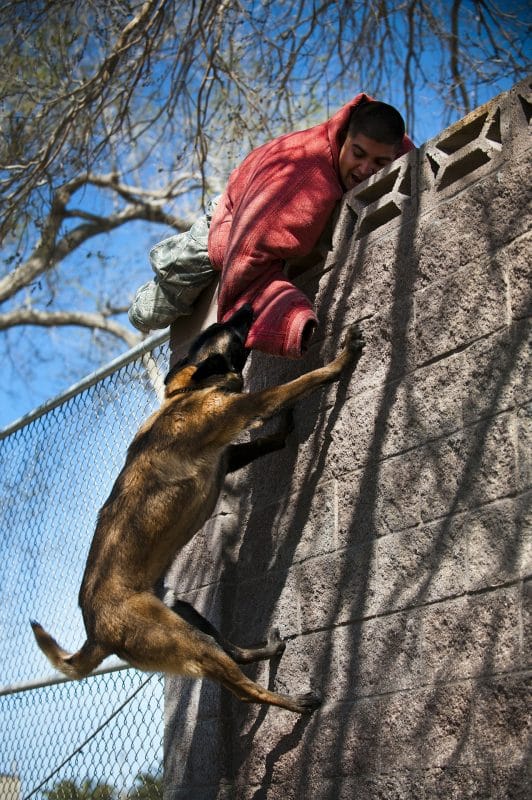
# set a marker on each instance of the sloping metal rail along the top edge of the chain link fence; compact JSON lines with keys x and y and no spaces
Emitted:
{"x":122,"y":360}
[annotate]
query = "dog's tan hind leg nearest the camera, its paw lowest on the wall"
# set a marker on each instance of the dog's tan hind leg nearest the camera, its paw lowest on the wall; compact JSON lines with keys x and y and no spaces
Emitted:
{"x":154,"y":638}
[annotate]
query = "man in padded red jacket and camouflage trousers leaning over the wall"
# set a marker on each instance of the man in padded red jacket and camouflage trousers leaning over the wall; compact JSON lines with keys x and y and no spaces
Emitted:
{"x":275,"y":208}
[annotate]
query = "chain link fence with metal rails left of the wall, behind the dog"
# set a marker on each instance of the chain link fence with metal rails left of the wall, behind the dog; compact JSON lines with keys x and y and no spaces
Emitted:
{"x":100,"y":738}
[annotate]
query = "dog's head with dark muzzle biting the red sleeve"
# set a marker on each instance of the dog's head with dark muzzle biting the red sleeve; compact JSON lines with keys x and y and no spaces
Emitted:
{"x":216,"y":357}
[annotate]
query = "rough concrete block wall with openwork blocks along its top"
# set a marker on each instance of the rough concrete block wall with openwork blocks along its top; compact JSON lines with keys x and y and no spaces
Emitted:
{"x":390,"y":540}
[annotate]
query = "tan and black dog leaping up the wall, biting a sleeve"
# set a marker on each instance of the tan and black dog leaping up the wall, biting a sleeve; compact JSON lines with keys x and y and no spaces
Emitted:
{"x":166,"y":491}
